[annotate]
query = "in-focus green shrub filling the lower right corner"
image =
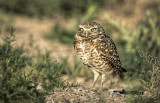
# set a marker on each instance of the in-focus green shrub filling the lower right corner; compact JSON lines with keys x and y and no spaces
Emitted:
{"x":149,"y":90}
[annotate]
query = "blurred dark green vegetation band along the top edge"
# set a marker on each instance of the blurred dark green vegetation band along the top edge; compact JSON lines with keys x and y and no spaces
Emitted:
{"x":50,"y":7}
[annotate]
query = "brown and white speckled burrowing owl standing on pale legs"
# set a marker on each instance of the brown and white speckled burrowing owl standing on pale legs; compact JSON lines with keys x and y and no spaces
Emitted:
{"x":97,"y":51}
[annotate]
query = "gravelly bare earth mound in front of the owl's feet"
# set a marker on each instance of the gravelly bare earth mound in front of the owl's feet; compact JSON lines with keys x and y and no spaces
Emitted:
{"x":83,"y":95}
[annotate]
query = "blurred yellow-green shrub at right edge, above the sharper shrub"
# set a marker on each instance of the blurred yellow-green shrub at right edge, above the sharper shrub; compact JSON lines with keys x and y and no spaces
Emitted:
{"x":148,"y":34}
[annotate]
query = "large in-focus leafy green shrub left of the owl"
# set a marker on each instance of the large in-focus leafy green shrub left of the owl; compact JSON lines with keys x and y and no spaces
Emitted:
{"x":24,"y":77}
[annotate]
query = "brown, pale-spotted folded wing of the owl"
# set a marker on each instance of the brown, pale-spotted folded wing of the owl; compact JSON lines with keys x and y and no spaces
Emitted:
{"x":109,"y":52}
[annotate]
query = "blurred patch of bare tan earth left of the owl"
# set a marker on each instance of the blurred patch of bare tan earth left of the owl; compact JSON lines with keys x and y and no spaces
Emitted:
{"x":30,"y":27}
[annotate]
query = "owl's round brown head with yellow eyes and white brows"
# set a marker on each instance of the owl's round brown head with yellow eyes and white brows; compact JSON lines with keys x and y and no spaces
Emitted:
{"x":90,"y":30}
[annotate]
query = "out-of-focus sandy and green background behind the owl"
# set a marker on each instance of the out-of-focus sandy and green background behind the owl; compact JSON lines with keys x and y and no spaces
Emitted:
{"x":134,"y":26}
